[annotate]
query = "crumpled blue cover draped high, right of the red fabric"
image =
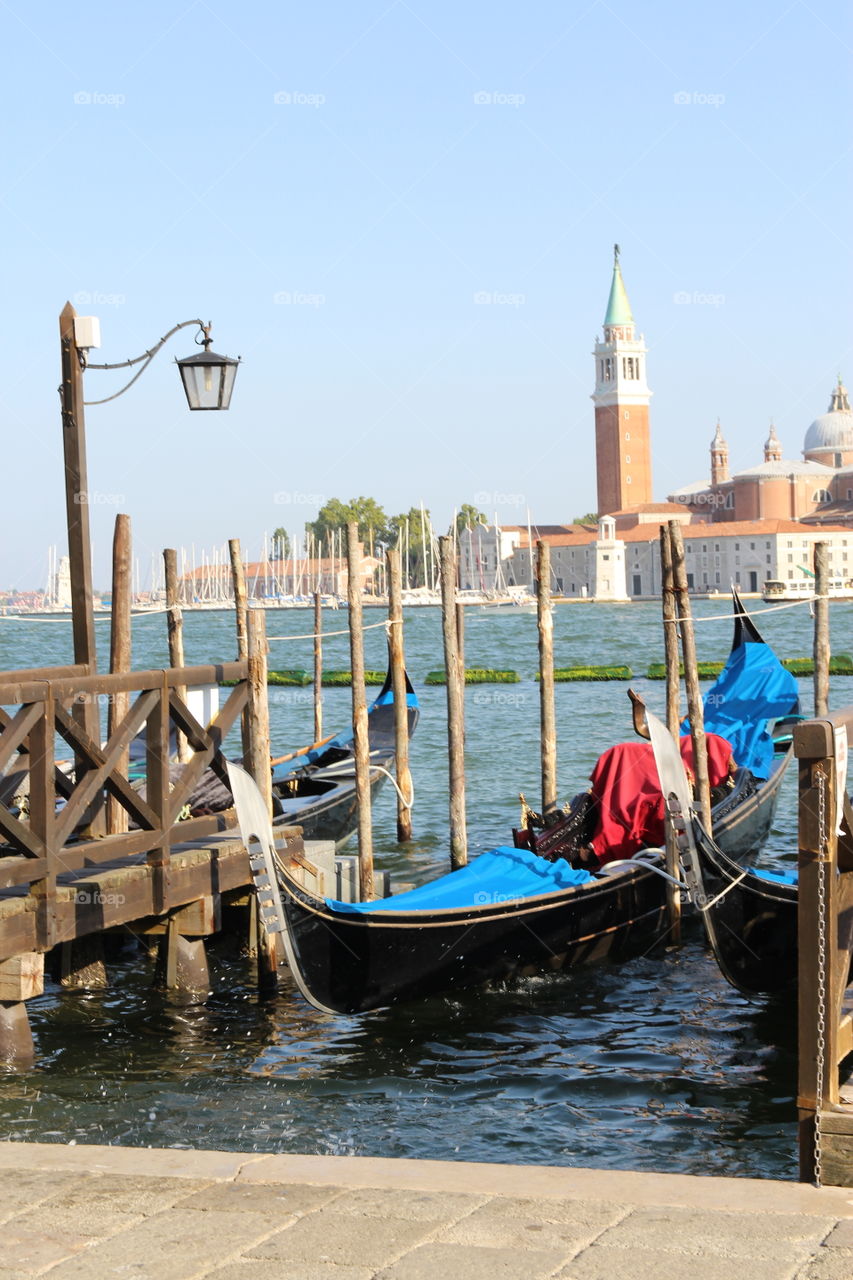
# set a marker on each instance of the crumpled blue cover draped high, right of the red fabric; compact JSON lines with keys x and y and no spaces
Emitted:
{"x":752,"y":689}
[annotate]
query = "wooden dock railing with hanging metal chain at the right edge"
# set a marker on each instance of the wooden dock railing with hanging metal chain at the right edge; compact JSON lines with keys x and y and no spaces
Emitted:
{"x":825,"y":941}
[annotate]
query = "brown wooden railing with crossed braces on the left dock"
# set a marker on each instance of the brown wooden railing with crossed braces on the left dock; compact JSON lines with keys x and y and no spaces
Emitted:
{"x":66,"y":806}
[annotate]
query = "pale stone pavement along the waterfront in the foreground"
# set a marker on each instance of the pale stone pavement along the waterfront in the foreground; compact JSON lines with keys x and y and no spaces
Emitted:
{"x":142,"y":1214}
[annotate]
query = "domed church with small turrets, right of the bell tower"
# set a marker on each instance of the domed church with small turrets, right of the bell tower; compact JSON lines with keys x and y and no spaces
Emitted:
{"x":816,"y":490}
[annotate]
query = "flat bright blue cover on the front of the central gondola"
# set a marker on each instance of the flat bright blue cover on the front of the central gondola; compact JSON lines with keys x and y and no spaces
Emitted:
{"x":501,"y":875}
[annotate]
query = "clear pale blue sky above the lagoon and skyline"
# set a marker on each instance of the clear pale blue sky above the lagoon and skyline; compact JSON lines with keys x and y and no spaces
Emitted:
{"x":402,"y":216}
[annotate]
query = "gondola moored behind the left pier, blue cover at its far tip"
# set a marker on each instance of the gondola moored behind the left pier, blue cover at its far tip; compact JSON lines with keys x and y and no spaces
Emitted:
{"x":316,"y":788}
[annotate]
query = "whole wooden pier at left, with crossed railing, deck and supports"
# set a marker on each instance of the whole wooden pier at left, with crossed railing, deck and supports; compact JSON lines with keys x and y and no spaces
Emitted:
{"x":62,"y":879}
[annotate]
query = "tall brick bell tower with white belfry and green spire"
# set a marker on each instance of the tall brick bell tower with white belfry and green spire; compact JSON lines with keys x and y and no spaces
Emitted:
{"x":622,"y":396}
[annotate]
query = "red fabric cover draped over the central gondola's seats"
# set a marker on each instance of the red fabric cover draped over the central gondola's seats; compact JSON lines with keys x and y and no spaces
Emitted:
{"x":631,"y":803}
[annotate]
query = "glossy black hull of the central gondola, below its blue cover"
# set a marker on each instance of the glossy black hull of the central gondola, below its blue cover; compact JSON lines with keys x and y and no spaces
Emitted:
{"x":350,"y":963}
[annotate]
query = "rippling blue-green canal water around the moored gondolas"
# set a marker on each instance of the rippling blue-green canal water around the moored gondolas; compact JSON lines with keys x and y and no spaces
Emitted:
{"x":653,"y":1066}
